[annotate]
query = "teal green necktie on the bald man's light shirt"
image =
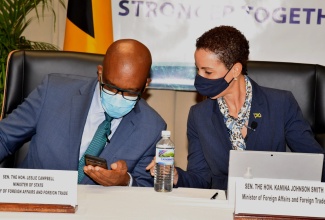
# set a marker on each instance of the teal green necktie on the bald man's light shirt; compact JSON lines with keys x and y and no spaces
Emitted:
{"x":96,"y":145}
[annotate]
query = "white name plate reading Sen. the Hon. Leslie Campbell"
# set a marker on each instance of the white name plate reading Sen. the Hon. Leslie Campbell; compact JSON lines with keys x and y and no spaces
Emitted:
{"x":38,"y":186}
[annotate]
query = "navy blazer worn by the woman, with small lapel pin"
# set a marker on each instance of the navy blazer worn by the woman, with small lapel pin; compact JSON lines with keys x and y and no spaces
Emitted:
{"x":279,"y":122}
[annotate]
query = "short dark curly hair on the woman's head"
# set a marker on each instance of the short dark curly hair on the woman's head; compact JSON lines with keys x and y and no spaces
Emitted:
{"x":228,"y":43}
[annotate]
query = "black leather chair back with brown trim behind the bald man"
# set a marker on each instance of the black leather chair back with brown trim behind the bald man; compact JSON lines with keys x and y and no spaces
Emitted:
{"x":25,"y":71}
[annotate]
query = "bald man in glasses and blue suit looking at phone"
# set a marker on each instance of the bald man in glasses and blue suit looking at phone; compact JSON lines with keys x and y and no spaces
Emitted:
{"x":61,"y":117}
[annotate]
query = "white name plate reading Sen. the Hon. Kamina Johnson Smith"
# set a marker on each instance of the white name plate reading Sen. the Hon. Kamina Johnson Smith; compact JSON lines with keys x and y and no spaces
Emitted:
{"x":280,"y":197}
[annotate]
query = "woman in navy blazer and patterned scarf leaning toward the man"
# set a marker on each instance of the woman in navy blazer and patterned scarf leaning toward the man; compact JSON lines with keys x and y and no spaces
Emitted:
{"x":238,"y":113}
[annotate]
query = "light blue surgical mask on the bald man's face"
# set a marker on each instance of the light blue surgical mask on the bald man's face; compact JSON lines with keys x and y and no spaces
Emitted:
{"x":115,"y":105}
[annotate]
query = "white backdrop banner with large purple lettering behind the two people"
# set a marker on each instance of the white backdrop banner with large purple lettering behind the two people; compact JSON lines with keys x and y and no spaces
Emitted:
{"x":283,"y":31}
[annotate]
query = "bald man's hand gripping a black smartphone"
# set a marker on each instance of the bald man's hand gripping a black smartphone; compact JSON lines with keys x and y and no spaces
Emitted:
{"x":117,"y":176}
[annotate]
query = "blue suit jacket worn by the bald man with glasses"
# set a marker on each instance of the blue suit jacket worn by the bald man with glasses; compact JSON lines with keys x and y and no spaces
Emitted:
{"x":53,"y":117}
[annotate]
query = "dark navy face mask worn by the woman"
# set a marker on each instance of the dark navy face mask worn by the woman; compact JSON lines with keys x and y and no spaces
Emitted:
{"x":211,"y":87}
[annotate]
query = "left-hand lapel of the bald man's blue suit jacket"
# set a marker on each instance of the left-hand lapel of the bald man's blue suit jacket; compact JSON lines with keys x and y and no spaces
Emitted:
{"x":80,"y":105}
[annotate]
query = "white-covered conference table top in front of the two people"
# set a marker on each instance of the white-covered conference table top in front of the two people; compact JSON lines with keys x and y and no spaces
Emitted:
{"x":98,"y":202}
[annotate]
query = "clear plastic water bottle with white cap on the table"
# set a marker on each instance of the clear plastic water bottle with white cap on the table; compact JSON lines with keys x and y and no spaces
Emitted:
{"x":164,"y":163}
